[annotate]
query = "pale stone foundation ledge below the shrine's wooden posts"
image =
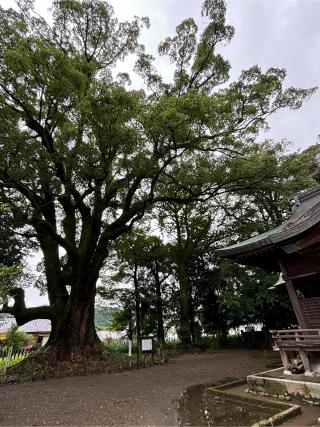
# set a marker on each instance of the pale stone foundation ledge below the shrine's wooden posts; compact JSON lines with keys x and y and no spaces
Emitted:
{"x":277,"y":385}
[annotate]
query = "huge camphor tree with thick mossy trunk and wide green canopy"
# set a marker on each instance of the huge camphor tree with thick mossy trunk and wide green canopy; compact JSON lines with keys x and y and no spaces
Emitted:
{"x":82,"y":157}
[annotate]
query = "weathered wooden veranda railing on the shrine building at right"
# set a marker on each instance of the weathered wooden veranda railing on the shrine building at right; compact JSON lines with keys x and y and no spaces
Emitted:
{"x":308,"y":339}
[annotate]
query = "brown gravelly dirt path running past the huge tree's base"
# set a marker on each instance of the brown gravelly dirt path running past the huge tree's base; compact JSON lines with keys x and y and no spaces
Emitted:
{"x":138,"y":397}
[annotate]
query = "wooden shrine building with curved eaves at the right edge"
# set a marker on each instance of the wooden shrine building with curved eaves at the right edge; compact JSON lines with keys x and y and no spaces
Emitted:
{"x":293,"y":250}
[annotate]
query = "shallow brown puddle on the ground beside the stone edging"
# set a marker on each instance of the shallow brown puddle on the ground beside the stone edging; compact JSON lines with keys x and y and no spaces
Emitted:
{"x":198,"y":408}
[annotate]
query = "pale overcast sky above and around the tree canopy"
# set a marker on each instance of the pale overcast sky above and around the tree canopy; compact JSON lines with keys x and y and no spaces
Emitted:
{"x":270,"y":33}
